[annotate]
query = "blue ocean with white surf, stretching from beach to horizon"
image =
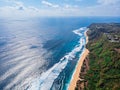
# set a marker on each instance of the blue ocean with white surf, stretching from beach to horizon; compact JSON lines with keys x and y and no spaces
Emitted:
{"x":42,"y":53}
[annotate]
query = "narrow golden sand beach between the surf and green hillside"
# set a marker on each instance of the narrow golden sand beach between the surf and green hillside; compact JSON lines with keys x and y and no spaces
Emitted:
{"x":76,"y":73}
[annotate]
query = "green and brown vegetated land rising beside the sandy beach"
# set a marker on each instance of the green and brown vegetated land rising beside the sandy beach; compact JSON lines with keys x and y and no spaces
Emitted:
{"x":104,"y":73}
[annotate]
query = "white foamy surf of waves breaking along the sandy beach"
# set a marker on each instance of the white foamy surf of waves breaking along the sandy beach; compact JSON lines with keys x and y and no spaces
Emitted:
{"x":47,"y":78}
